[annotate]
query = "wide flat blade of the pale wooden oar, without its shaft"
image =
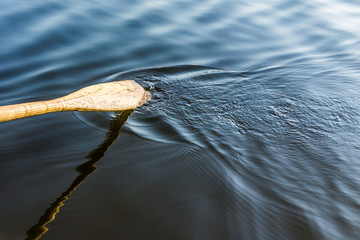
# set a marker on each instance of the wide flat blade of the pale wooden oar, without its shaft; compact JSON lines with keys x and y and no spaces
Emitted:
{"x":112,"y":96}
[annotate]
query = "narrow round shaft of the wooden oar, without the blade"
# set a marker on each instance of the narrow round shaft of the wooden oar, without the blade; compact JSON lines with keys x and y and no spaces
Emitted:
{"x":16,"y":111}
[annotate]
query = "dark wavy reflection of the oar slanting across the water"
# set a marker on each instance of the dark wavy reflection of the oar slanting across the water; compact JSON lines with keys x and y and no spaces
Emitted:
{"x":85,"y":169}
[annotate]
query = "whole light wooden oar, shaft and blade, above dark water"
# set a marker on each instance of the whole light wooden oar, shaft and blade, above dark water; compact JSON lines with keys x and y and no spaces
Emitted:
{"x":112,"y":96}
